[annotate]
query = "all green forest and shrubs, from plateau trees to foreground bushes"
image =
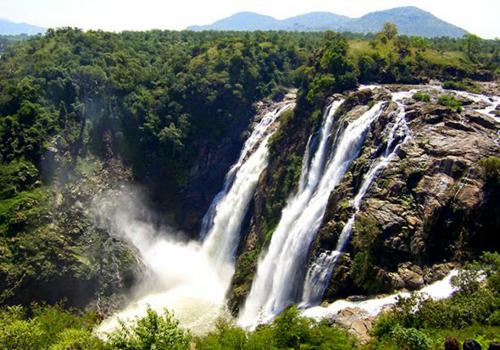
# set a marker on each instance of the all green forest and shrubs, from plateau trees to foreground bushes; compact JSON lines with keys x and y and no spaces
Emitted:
{"x":144,"y":106}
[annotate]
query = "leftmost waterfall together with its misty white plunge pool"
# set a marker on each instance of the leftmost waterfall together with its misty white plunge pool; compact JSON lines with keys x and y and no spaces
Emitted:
{"x":191,"y":279}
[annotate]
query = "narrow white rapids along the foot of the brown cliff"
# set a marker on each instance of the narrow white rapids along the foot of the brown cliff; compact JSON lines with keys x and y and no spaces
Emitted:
{"x":372,"y":307}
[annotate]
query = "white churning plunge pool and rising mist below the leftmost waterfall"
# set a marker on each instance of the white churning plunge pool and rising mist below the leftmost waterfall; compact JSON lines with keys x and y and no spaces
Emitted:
{"x":180,"y":276}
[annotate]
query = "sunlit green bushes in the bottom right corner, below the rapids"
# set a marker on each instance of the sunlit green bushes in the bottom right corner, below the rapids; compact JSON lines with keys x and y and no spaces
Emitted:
{"x":419,"y":323}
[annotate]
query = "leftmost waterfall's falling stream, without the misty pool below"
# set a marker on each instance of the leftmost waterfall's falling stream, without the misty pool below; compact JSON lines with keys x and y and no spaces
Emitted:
{"x":226,"y":213}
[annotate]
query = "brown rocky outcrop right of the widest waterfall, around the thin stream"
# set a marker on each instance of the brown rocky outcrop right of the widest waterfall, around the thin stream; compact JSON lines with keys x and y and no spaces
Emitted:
{"x":429,"y":209}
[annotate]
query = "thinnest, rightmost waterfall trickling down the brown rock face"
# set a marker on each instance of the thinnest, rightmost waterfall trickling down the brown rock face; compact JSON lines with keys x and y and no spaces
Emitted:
{"x":320,"y":271}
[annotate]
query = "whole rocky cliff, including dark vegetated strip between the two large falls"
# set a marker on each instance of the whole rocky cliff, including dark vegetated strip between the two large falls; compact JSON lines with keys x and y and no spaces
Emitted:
{"x":431,"y":207}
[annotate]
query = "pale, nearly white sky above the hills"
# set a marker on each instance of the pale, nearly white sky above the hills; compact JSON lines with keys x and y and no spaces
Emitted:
{"x":478,"y":16}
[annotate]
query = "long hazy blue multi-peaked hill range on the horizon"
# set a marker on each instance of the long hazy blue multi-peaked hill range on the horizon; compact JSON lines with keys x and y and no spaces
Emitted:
{"x":409,"y":20}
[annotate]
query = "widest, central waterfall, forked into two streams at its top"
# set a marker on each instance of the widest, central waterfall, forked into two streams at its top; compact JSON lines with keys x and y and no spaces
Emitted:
{"x":276,"y":284}
